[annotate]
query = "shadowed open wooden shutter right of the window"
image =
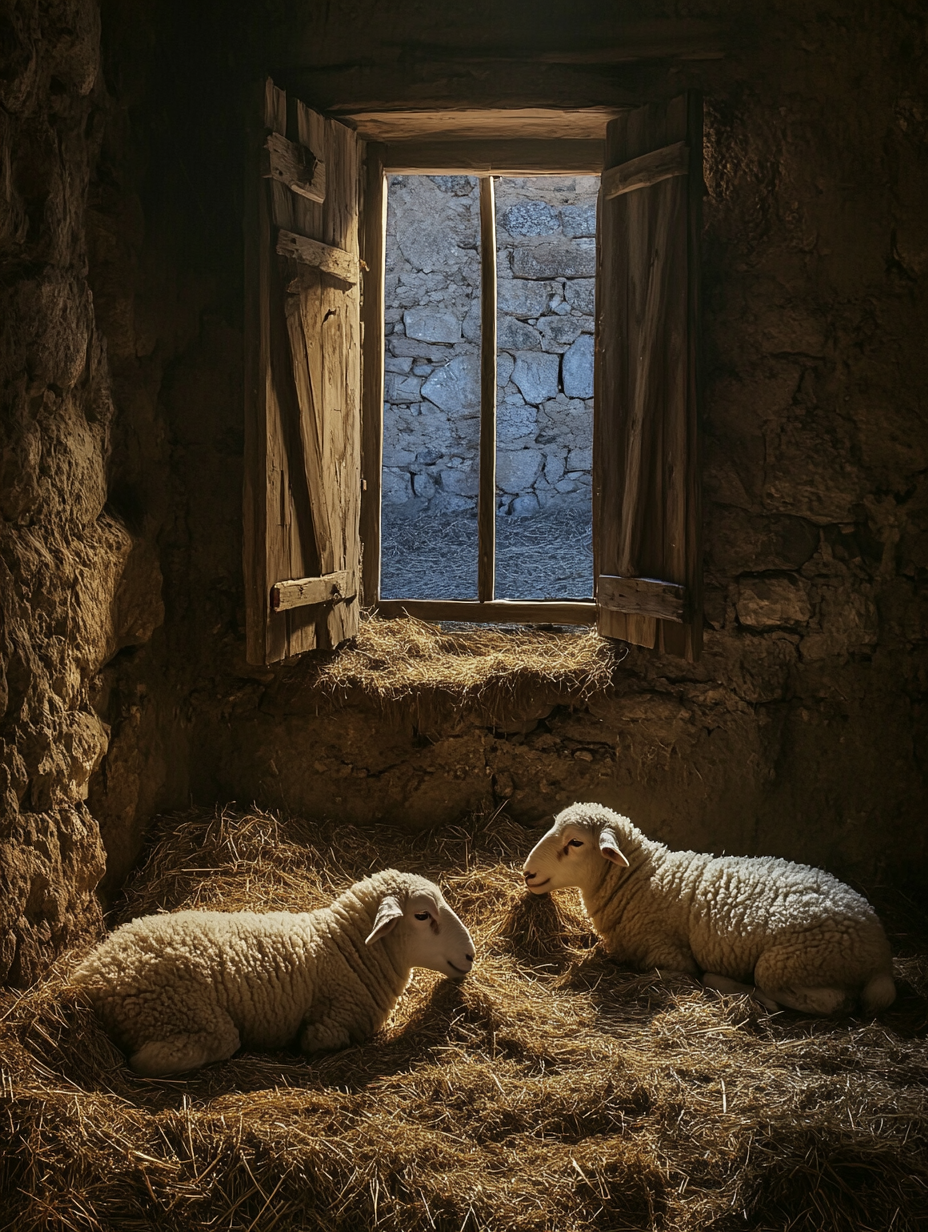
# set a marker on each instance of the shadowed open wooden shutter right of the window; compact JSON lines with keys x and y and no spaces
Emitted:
{"x":646,"y":455}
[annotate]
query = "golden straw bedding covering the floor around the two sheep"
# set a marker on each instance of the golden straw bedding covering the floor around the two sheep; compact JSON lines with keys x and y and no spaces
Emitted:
{"x":552,"y":1092}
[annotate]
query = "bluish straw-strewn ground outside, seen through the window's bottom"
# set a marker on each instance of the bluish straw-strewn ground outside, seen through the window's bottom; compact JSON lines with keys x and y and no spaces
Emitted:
{"x":434,"y":556}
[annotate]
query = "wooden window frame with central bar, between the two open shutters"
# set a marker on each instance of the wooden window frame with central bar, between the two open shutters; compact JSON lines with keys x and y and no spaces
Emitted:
{"x":482,"y":160}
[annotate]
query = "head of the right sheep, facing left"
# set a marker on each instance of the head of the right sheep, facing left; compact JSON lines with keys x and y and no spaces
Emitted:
{"x":574,"y":851}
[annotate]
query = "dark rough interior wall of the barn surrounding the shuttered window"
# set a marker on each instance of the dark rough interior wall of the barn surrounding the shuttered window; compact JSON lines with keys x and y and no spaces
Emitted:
{"x":802,"y":732}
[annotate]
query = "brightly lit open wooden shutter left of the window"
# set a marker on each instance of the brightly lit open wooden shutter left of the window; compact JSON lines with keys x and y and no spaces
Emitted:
{"x":303,"y":383}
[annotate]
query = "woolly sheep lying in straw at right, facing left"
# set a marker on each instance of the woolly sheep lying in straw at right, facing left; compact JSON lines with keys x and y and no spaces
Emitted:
{"x":803,"y":938}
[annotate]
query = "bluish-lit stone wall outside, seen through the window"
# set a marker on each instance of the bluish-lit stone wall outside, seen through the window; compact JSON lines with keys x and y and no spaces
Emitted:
{"x":547,"y":256}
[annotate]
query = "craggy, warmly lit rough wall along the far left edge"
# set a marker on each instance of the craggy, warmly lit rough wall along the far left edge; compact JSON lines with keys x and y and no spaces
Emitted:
{"x":68,"y":565}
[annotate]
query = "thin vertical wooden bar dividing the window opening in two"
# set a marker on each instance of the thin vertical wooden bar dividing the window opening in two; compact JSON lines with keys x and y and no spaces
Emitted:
{"x":487,"y":500}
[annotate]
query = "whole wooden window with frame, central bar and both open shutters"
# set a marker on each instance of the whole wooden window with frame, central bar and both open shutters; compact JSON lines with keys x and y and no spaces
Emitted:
{"x":316,"y":417}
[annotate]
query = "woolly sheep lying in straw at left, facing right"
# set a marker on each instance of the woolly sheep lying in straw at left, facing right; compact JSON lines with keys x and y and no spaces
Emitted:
{"x":181,"y":991}
